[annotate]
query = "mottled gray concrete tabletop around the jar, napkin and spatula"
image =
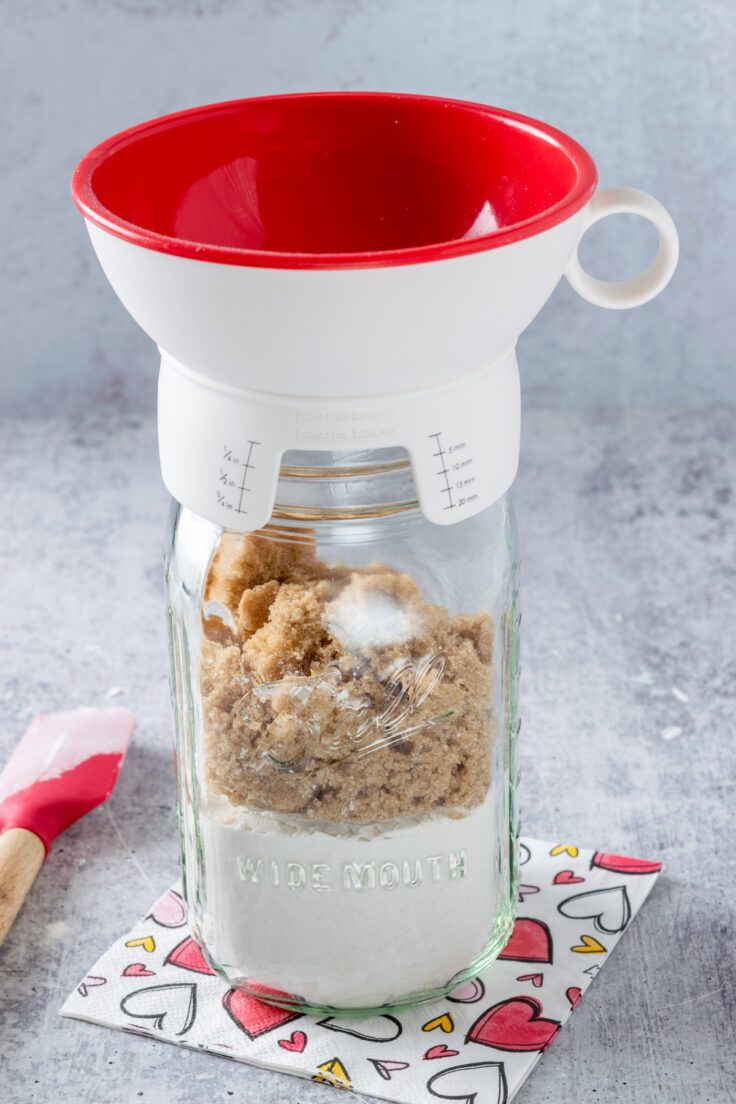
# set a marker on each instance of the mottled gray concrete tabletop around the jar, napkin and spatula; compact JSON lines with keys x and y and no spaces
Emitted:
{"x":627,"y":524}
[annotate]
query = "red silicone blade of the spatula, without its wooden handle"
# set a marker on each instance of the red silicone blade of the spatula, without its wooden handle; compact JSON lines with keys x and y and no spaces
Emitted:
{"x":65,"y":767}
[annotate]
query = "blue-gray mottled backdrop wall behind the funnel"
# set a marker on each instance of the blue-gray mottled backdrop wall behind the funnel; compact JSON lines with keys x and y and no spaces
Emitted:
{"x":648,"y":87}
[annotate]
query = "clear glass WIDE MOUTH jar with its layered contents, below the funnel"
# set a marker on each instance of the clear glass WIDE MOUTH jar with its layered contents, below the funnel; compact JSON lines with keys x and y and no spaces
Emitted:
{"x":345,"y":692}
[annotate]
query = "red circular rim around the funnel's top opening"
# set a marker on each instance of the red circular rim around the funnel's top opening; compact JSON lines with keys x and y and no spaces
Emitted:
{"x":541,"y":140}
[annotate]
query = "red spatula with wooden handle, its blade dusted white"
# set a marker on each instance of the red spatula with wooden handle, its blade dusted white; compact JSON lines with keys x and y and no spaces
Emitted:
{"x":66,"y":766}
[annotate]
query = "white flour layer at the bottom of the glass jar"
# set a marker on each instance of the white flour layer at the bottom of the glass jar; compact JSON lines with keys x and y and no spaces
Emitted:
{"x":348,"y":916}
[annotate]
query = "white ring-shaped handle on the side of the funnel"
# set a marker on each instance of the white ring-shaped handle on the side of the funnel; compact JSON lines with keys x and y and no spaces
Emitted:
{"x":628,"y":293}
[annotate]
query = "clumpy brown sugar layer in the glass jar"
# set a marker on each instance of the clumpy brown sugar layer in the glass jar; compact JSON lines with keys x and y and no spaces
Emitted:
{"x":340,"y":694}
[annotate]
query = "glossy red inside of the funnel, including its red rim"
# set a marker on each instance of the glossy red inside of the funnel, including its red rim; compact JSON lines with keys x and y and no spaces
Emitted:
{"x":334,"y":179}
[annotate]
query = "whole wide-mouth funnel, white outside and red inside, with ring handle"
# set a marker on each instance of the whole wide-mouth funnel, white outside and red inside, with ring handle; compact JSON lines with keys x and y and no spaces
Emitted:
{"x":346,"y":271}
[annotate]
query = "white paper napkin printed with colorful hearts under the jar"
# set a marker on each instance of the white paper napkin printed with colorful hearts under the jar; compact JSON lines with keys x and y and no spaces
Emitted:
{"x":478,"y":1045}
